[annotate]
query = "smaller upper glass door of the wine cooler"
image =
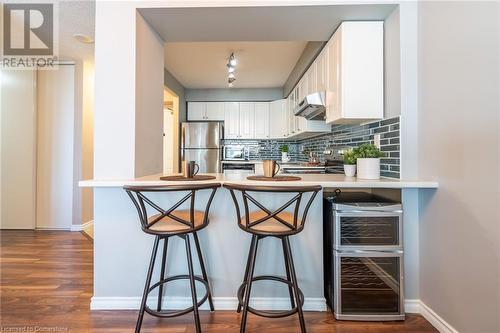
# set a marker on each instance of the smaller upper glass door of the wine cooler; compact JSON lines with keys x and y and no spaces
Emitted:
{"x":368,"y":230}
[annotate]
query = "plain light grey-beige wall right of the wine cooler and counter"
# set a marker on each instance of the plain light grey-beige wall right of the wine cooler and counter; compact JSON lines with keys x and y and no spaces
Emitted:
{"x":459,"y":143}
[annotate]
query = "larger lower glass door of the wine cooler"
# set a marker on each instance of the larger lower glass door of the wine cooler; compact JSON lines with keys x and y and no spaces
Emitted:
{"x":368,"y":285}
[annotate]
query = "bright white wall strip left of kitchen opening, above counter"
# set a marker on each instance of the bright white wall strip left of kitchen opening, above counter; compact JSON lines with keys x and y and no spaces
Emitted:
{"x":114,"y":118}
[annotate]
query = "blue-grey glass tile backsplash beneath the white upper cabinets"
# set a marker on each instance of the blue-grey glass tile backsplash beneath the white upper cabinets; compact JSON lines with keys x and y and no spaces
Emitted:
{"x":340,"y":135}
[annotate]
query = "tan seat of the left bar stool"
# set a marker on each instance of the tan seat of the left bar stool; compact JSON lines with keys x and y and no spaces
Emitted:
{"x":171,"y":224}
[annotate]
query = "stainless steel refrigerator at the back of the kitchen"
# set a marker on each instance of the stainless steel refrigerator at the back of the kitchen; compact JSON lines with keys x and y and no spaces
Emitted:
{"x":201,"y":142}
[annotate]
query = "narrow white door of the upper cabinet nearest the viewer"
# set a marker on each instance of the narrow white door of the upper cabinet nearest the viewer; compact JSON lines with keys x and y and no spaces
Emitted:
{"x":333,"y":110}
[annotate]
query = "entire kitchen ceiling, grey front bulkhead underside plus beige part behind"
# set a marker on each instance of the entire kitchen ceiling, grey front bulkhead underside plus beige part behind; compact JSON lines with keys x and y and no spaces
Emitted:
{"x":267,"y":41}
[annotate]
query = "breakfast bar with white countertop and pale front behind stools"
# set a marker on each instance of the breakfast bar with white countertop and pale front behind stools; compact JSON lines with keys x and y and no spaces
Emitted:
{"x":122,"y":250}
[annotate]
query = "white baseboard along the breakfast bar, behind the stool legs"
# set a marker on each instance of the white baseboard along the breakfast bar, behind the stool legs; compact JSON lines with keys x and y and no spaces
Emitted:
{"x":220,"y":303}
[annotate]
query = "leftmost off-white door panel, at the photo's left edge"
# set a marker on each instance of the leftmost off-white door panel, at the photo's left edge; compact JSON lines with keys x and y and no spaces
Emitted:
{"x":17,"y":148}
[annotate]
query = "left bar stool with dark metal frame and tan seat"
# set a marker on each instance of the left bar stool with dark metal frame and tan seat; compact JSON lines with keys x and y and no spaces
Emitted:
{"x":168,"y":223}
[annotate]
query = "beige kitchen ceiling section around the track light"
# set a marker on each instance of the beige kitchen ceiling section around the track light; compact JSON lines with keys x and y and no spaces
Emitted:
{"x":260,"y":64}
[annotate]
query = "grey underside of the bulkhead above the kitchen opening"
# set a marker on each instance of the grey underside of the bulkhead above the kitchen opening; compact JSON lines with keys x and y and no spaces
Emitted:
{"x":278,"y":23}
